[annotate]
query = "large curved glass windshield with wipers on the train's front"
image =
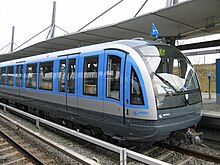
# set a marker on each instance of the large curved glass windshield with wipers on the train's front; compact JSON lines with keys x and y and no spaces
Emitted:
{"x":172,"y":74}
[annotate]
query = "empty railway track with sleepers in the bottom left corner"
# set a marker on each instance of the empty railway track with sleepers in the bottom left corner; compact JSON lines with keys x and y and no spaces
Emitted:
{"x":33,"y":148}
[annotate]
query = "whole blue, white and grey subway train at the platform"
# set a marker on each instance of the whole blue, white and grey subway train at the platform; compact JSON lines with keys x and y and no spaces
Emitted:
{"x":128,"y":90}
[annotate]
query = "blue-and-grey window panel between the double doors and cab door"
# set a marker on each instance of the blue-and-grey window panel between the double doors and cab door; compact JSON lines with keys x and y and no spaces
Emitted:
{"x":90,"y":82}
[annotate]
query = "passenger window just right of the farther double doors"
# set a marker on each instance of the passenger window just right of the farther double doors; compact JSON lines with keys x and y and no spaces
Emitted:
{"x":31,"y":76}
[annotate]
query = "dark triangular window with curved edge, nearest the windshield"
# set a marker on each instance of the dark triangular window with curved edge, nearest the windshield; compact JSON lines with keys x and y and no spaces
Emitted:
{"x":136,"y":95}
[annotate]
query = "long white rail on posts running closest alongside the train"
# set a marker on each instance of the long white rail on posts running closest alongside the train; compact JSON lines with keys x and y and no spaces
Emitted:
{"x":124,"y":153}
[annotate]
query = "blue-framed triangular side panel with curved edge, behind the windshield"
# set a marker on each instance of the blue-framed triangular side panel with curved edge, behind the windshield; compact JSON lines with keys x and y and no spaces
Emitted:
{"x":136,"y":100}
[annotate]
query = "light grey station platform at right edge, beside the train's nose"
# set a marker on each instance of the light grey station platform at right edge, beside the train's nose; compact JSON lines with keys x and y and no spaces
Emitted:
{"x":210,"y":107}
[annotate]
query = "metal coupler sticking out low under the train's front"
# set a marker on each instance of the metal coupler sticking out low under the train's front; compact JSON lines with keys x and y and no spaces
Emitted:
{"x":193,"y":137}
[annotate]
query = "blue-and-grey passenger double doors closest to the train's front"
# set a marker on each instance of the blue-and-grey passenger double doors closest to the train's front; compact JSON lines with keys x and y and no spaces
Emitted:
{"x":67,"y":82}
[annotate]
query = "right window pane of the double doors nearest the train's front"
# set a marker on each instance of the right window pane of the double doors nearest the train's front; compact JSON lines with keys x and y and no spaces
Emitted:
{"x":71,"y":76}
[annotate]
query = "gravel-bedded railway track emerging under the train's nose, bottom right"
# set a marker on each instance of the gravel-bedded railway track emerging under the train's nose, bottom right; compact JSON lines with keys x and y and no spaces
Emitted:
{"x":181,"y":155}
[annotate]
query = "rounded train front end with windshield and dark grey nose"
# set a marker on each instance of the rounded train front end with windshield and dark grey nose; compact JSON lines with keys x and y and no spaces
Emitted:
{"x":176,"y":91}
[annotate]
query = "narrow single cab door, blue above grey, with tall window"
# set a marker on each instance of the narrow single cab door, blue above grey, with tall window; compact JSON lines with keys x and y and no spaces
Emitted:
{"x":114,"y":81}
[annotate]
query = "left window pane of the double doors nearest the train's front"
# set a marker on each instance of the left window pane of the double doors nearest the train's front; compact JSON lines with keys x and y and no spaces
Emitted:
{"x":62,"y":74}
